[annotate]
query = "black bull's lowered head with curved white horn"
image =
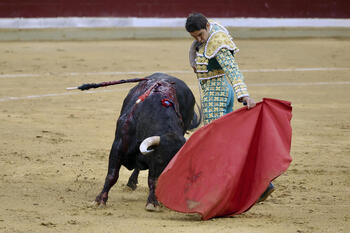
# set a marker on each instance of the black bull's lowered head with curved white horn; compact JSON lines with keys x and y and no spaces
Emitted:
{"x":160,"y":150}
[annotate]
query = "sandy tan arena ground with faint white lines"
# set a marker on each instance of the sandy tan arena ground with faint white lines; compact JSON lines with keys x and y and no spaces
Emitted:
{"x":54,"y":144}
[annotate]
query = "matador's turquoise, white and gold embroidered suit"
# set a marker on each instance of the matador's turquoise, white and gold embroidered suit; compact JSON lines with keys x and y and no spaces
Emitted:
{"x":216,"y":68}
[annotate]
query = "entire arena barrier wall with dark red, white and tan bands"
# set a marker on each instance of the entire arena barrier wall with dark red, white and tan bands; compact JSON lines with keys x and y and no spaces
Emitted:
{"x":147,"y":19}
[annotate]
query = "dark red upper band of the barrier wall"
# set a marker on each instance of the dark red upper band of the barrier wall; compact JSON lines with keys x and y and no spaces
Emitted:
{"x":179,"y":8}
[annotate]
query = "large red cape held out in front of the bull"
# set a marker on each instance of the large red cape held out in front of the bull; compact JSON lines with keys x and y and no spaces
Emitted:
{"x":226,"y":165}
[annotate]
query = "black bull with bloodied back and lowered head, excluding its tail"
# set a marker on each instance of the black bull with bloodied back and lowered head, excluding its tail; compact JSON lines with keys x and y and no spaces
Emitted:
{"x":150,"y":130}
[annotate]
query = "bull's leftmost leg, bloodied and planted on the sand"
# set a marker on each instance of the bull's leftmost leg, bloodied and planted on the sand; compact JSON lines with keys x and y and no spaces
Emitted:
{"x":114,"y":165}
